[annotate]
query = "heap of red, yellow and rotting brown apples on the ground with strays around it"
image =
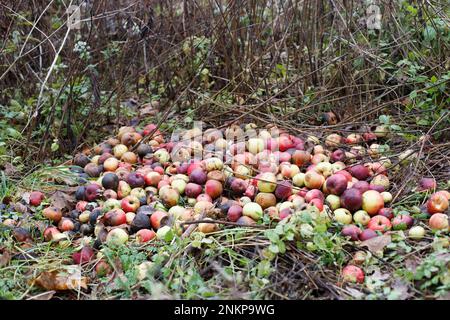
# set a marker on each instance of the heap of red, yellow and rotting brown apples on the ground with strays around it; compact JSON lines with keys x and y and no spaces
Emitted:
{"x":140,"y":185}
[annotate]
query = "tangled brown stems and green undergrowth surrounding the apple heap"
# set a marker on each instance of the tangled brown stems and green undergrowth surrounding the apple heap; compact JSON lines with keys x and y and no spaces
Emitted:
{"x":176,"y":62}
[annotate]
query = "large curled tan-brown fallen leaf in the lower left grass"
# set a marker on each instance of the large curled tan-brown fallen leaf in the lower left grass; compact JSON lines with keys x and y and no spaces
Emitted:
{"x":68,"y":278}
